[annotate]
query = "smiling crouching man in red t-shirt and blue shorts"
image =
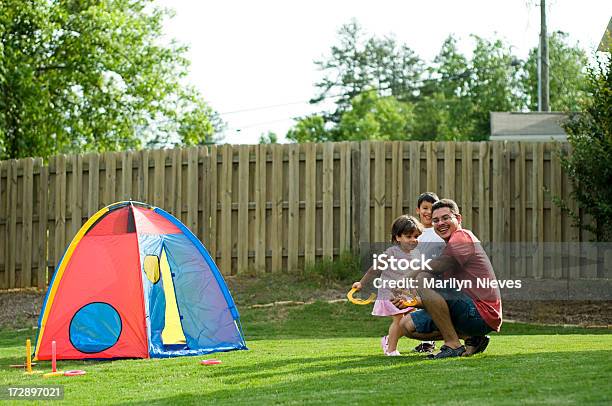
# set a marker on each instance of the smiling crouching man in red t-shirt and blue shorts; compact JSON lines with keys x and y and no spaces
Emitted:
{"x":457,"y":298}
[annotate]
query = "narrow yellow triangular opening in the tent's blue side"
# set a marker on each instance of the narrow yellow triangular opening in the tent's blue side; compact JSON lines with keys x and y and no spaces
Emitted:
{"x":173,"y":330}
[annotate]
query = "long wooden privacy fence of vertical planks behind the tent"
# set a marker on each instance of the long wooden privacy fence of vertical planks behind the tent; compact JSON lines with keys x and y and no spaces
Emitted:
{"x":271,"y":208}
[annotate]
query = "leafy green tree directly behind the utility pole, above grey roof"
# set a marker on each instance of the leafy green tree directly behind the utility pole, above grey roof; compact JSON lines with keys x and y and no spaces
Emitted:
{"x":567,"y":75}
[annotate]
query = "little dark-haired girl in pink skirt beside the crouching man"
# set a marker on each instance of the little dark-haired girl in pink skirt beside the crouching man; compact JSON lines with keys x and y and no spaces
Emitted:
{"x":404,"y":233}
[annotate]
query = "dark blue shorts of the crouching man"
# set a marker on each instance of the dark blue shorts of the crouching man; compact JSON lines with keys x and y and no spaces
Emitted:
{"x":463,"y":312}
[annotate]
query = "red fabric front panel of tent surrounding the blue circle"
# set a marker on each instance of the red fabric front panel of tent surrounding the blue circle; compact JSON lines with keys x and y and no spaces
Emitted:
{"x":102,"y":269}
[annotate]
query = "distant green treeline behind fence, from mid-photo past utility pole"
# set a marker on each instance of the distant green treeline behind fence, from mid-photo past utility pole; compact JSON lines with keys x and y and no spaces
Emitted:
{"x":449,"y":100}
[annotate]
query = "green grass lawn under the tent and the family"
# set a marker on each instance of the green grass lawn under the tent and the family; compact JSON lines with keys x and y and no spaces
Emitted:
{"x":329,"y":353}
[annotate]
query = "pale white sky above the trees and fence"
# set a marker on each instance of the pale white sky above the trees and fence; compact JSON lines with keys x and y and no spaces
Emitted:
{"x":253,"y":60}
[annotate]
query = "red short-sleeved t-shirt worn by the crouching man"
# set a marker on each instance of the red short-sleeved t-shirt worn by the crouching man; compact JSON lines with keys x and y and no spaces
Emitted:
{"x":475,"y":266}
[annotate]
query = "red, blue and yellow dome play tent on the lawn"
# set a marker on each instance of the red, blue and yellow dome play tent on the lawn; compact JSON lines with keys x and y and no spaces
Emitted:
{"x":136,"y":283}
